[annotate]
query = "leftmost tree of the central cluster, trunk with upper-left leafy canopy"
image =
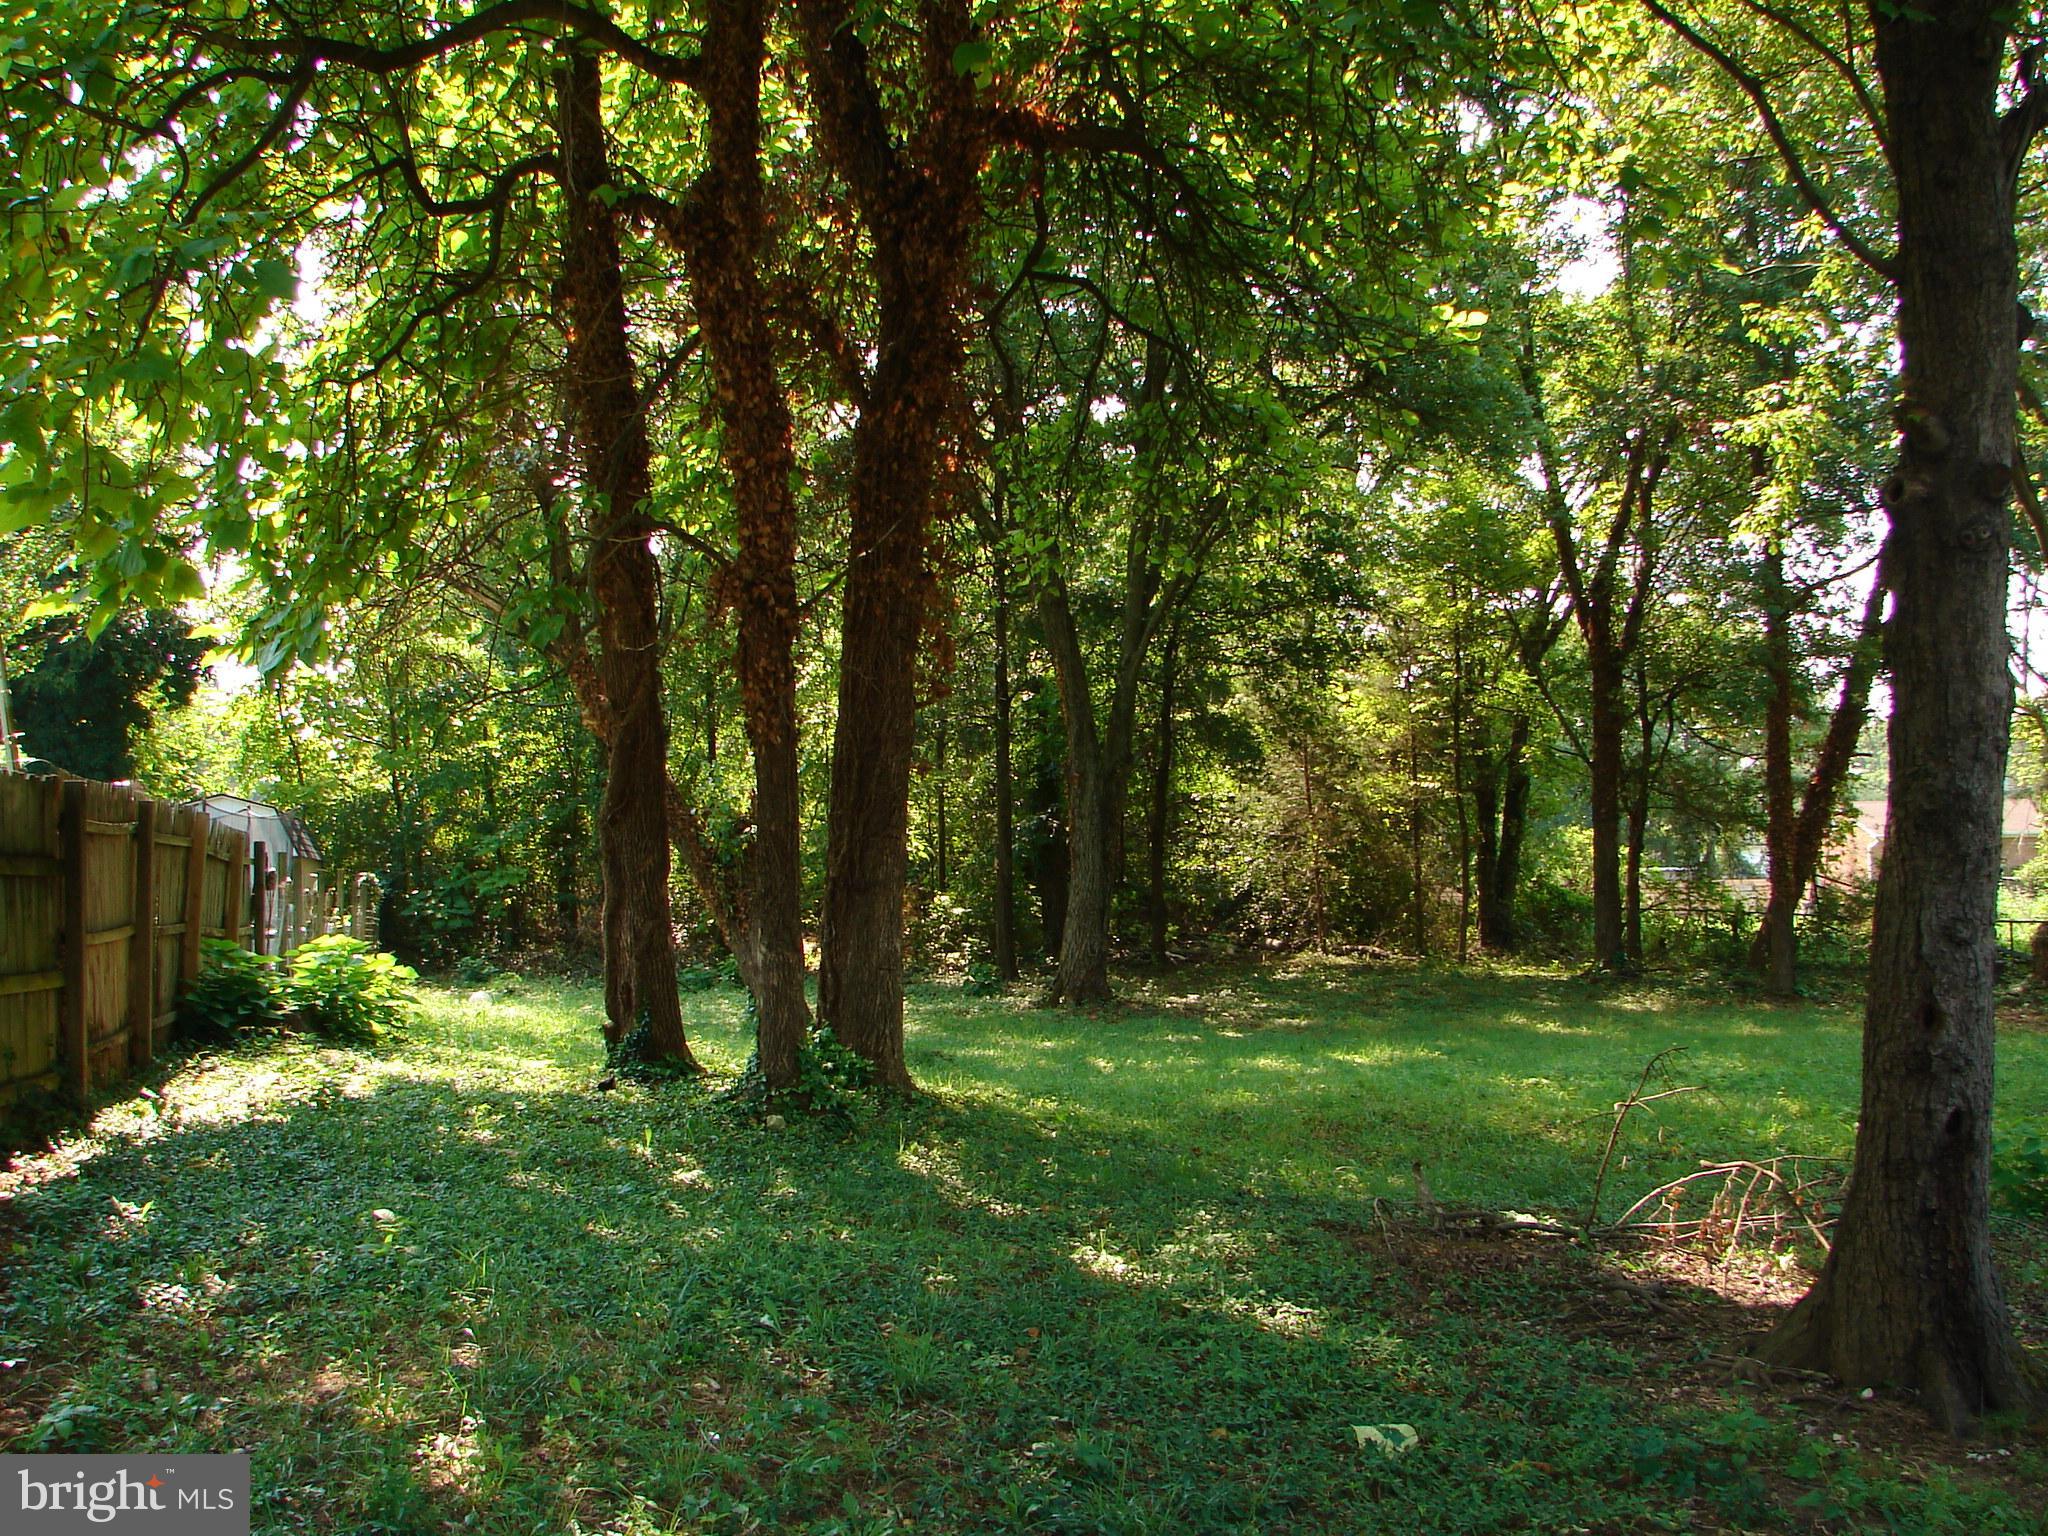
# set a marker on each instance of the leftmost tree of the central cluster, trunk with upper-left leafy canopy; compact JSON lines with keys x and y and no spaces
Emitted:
{"x":204,"y":151}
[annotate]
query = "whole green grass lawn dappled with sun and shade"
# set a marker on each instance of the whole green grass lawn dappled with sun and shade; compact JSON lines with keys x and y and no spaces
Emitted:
{"x":1138,"y":1273}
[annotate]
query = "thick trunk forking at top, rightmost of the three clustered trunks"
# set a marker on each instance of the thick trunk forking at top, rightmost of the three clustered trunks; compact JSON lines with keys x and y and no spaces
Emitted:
{"x":923,"y":206}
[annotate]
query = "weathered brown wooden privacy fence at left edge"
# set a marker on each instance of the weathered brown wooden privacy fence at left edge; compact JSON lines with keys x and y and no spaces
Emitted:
{"x":105,"y":896}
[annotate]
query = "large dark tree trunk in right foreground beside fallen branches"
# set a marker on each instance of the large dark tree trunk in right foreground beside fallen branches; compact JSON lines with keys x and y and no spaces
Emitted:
{"x":1910,"y":1295}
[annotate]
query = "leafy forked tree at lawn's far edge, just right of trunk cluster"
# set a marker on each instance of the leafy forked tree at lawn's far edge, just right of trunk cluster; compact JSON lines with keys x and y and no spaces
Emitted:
{"x":1185,"y":337}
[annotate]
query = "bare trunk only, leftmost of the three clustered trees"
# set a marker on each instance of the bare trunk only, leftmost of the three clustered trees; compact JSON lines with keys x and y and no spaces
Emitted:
{"x":626,"y":583}
